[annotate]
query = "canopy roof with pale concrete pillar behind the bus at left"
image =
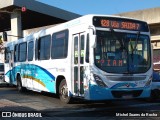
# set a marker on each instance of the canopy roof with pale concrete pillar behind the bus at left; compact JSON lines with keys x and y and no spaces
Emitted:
{"x":17,"y":16}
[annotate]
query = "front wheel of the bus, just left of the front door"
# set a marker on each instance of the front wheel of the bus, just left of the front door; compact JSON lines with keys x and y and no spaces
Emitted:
{"x":63,"y":92}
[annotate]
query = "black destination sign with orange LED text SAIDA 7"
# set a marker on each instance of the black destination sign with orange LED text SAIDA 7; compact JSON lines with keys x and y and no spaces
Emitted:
{"x":120,"y":23}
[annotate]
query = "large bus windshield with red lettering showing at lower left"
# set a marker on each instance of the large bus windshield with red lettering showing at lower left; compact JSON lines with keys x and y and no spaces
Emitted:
{"x":118,"y":52}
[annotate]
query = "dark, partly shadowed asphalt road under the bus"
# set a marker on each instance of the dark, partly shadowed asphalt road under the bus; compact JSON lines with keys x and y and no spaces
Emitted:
{"x":49,"y":106}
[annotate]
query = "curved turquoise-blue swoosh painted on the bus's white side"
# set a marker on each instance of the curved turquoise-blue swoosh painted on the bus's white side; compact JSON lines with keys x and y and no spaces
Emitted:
{"x":36,"y":72}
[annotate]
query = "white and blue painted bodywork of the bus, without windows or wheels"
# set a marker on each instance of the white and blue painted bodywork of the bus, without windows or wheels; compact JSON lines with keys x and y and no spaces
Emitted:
{"x":42,"y":75}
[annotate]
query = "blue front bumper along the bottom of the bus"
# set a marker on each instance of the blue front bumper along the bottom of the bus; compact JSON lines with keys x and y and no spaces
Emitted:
{"x":99,"y":93}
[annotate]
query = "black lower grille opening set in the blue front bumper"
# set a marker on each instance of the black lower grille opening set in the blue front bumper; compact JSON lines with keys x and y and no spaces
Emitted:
{"x":120,"y":94}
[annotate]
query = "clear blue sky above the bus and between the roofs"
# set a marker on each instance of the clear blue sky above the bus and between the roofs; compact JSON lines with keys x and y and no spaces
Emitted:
{"x":109,"y":7}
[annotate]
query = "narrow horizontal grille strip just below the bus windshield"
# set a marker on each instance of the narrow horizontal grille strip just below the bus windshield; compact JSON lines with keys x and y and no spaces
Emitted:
{"x":125,"y":78}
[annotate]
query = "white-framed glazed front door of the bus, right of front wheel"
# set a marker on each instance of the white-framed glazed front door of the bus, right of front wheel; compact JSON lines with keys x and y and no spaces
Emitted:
{"x":78,"y":65}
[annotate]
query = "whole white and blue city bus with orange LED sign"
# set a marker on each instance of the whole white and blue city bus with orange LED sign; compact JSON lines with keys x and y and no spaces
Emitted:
{"x":94,"y":57}
